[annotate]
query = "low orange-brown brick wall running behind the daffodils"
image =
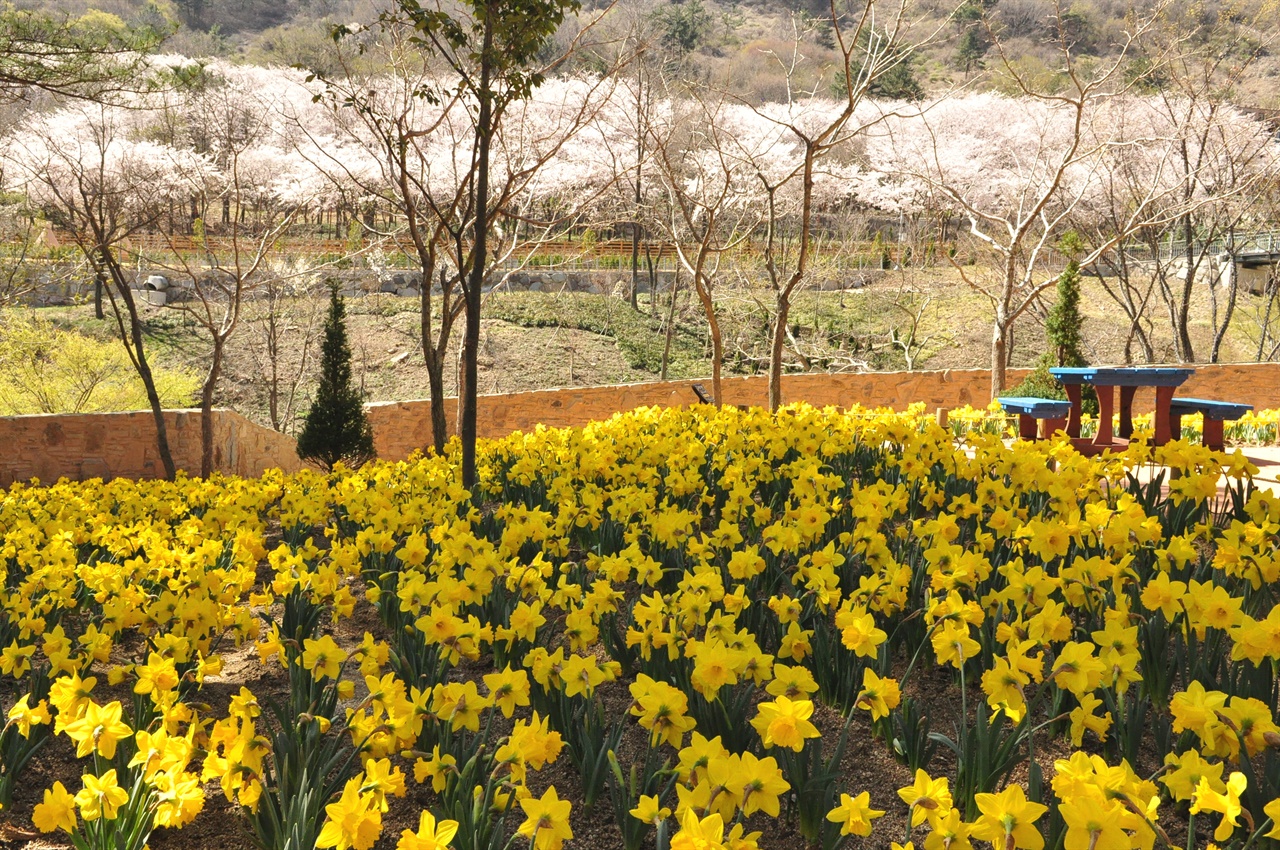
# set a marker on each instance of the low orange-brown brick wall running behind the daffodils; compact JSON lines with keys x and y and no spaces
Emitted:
{"x":124,"y":445}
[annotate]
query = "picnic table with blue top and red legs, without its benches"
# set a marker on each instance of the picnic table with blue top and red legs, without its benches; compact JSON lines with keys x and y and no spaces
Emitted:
{"x":1128,"y":380}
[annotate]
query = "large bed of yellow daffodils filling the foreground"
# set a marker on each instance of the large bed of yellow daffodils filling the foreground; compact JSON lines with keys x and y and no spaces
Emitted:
{"x":703,"y":615}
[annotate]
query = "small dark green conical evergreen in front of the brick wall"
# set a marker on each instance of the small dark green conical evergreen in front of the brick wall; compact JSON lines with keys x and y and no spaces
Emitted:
{"x":336,"y":427}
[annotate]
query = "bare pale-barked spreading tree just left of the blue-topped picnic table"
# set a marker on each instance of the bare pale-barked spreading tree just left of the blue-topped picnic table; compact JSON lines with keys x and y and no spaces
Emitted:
{"x":1016,"y":168}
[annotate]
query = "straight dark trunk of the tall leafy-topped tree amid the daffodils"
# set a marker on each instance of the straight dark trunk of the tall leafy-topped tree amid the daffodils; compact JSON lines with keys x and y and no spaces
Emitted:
{"x":472,"y":341}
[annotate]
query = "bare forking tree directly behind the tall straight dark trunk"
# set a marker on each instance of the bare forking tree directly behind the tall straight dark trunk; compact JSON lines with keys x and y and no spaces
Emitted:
{"x":418,"y":127}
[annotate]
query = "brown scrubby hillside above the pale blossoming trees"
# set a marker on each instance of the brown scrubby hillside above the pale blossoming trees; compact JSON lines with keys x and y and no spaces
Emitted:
{"x":744,"y":44}
